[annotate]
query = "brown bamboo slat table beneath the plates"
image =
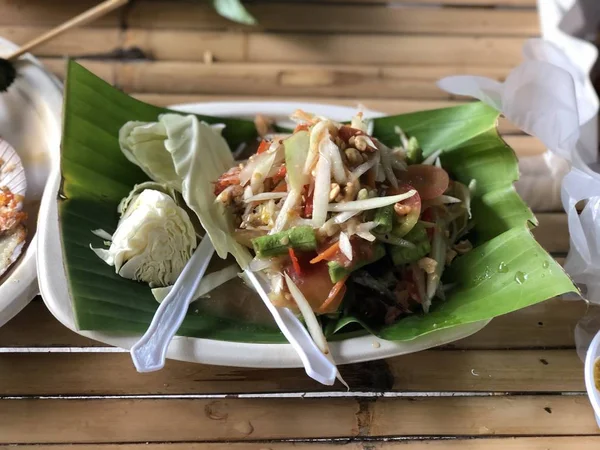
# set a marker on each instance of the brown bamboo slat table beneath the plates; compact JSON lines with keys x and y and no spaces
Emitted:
{"x":517,"y":384}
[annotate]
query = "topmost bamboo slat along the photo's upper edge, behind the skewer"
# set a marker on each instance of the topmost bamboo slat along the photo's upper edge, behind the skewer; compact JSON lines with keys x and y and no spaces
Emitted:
{"x":331,"y":16}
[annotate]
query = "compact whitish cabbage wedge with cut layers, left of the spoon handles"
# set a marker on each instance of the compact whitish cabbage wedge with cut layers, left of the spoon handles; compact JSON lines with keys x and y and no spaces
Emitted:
{"x":154,"y":240}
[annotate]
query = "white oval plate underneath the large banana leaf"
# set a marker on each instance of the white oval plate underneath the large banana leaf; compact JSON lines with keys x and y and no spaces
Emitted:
{"x":53,"y":281}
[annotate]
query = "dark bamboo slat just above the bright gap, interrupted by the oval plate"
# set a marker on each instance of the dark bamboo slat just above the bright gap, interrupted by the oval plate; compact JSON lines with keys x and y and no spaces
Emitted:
{"x":549,"y":324}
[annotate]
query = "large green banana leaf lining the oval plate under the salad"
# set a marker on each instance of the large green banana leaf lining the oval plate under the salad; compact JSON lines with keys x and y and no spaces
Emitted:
{"x":506,"y":271}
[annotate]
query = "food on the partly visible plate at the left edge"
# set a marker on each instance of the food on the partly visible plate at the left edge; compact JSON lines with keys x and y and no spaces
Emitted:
{"x":12,"y":218}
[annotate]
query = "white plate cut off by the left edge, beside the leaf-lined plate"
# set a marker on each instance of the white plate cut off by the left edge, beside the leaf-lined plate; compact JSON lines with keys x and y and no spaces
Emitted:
{"x":30,"y":117}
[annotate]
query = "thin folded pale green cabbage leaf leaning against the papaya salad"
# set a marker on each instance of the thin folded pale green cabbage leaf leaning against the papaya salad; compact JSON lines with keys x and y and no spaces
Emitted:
{"x":188,"y":155}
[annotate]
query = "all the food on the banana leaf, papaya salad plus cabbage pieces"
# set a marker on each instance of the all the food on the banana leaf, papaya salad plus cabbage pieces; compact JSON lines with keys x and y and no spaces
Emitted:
{"x":320,"y":209}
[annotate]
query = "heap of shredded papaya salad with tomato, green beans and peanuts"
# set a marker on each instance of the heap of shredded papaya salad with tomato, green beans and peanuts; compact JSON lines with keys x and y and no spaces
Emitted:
{"x":351,"y":223}
